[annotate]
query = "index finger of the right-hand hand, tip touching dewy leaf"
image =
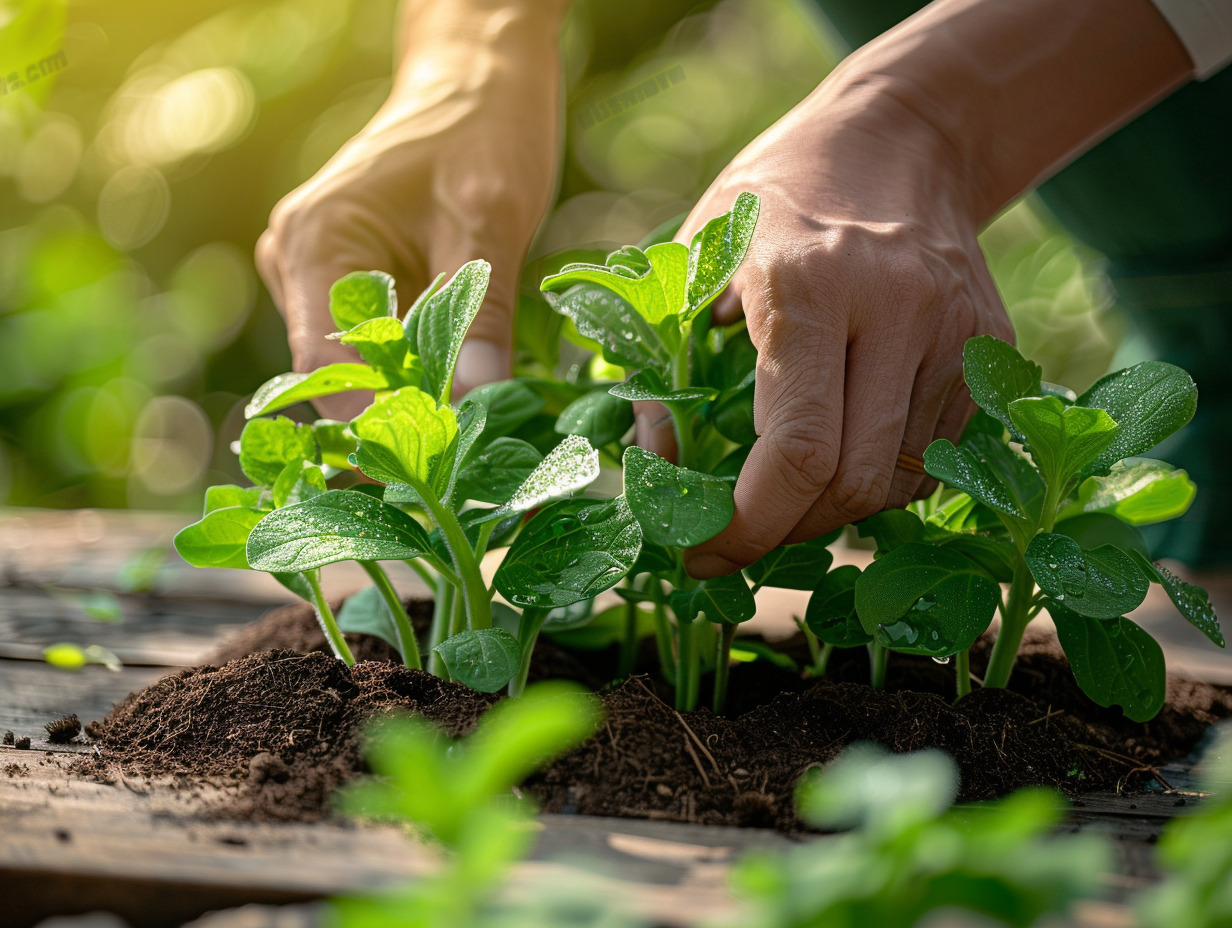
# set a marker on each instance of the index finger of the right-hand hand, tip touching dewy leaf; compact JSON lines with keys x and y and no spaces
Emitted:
{"x":799,"y":409}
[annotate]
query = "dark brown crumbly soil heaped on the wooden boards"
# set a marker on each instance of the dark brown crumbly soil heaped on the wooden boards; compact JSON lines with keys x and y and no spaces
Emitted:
{"x":282,"y":730}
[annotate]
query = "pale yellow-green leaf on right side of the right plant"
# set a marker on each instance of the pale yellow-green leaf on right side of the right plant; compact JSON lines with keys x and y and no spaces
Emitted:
{"x":1139,"y":492}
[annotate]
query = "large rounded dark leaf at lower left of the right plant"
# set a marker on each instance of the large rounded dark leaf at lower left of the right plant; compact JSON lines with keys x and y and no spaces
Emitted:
{"x":922,"y":600}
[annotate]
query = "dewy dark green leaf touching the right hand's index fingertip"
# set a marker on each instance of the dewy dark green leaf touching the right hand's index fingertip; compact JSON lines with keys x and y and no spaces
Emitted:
{"x":675,"y":506}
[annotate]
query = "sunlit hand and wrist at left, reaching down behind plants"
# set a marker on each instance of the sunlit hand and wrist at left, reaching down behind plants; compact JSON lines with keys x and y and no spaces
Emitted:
{"x":460,"y":163}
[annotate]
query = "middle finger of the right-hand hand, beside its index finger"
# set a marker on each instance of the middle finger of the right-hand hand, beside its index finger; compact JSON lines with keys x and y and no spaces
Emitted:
{"x":878,"y":390}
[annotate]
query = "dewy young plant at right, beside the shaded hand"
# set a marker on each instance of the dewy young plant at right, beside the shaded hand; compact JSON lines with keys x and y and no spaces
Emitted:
{"x":1047,"y":494}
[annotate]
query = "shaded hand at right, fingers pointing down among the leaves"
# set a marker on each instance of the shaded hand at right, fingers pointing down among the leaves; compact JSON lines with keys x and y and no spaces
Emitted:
{"x":861,"y":288}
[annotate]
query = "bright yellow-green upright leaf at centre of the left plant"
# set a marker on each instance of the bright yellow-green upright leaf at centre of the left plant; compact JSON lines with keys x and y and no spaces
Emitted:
{"x":407,"y":438}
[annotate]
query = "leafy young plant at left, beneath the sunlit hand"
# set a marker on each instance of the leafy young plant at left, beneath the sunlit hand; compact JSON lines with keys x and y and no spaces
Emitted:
{"x":437,"y":463}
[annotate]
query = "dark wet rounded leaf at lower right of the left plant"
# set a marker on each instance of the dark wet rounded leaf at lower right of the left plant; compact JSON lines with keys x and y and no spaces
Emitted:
{"x":571,"y":552}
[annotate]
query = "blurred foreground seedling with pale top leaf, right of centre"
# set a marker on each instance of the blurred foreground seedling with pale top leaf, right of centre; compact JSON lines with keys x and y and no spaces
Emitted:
{"x":909,"y":855}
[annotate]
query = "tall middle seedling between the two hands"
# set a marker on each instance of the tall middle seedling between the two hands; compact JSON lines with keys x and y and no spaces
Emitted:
{"x":647,"y":312}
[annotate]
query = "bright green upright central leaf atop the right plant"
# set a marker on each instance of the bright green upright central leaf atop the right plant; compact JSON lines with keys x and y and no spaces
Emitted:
{"x":1065,"y":442}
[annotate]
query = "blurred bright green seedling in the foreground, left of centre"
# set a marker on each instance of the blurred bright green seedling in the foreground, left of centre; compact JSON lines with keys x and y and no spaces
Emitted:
{"x":460,"y":796}
